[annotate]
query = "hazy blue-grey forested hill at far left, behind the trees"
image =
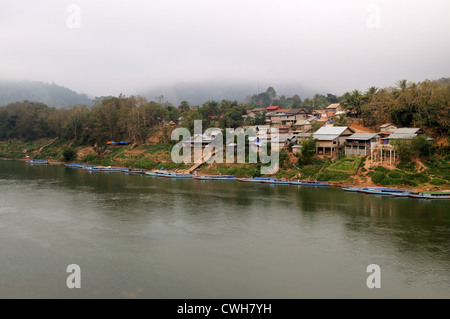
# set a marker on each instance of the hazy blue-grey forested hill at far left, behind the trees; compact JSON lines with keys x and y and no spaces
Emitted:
{"x":49,"y":94}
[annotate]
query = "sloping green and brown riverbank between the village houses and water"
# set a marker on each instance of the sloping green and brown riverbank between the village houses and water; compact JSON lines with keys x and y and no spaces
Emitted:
{"x":346,"y":172}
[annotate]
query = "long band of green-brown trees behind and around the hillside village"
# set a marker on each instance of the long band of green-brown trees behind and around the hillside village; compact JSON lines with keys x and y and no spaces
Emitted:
{"x":425,"y":104}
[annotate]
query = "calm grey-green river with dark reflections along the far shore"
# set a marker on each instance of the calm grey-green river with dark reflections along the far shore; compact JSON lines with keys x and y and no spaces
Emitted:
{"x":136,"y":236}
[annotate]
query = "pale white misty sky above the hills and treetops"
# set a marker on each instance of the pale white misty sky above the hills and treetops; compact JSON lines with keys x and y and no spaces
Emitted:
{"x":114,"y":47}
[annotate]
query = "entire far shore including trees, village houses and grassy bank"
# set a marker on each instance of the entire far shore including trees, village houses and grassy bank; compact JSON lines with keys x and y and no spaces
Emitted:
{"x":393,"y":137}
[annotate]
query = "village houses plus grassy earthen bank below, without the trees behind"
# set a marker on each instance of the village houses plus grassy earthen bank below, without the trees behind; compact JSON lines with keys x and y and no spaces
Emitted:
{"x":346,"y":156}
